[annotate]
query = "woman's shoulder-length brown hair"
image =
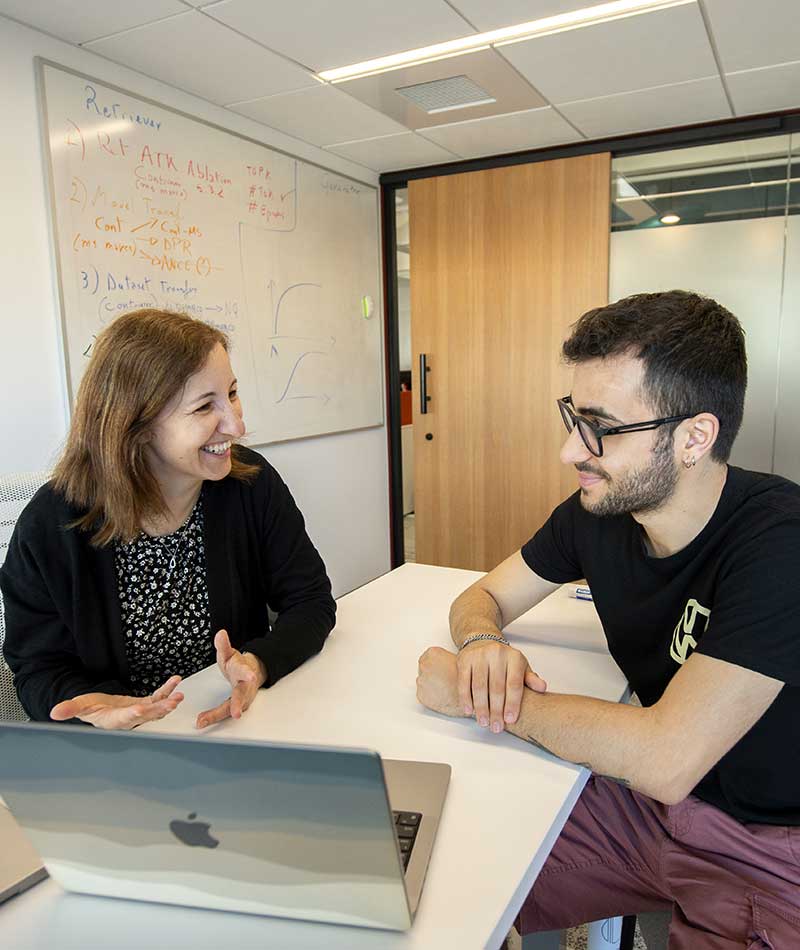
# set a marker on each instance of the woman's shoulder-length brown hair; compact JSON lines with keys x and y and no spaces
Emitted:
{"x":138,"y":364}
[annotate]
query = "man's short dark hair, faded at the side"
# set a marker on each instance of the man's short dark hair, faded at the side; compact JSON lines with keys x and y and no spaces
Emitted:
{"x":692,"y":349}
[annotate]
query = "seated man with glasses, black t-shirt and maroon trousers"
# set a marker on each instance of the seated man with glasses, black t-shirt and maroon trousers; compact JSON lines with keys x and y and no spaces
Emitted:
{"x":694,"y":800}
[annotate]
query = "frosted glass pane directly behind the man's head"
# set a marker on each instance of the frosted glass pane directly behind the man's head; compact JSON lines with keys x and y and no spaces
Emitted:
{"x":740,"y":264}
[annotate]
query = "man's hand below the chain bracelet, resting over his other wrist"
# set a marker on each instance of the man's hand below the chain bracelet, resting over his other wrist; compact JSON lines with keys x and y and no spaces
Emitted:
{"x":491,"y":679}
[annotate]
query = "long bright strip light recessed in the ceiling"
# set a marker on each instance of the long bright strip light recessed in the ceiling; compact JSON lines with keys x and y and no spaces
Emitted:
{"x":573,"y":20}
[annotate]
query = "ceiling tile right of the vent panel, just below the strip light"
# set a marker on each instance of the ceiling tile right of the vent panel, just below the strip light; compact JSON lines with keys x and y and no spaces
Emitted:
{"x":650,"y":49}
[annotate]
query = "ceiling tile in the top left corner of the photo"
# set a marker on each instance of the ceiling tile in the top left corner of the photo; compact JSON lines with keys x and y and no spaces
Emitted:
{"x":78,"y":21}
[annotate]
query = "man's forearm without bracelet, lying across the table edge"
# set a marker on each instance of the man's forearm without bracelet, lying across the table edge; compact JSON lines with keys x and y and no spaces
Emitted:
{"x":616,"y":741}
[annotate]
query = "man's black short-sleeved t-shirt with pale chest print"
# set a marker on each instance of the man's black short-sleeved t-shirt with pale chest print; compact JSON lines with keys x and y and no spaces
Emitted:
{"x":733,"y":593}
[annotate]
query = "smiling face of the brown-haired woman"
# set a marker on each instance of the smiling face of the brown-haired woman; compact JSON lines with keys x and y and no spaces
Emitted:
{"x":191,"y":438}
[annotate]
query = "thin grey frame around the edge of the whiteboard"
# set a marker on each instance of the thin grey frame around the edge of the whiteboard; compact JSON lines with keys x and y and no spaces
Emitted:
{"x":40,"y":62}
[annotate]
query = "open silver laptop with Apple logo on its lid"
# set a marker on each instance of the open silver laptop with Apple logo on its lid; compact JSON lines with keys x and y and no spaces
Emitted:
{"x":306,"y":832}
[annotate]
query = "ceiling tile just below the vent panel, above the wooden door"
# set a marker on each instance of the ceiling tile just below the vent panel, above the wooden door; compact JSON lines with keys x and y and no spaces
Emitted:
{"x":535,"y":128}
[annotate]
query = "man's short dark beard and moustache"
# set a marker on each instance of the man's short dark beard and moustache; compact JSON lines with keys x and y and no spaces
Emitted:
{"x":644,"y":490}
